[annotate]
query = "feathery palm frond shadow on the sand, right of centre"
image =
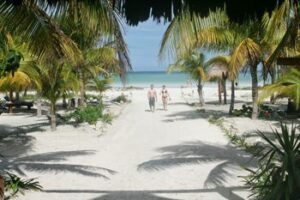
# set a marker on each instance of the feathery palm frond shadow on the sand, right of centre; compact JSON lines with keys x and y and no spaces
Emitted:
{"x":193,"y":153}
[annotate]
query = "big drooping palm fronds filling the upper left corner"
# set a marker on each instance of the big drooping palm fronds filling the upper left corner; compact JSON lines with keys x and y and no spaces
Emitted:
{"x":40,"y":22}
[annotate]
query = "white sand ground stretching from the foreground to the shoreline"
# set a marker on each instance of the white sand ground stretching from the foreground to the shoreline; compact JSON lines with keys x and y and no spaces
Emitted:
{"x":174,"y":154}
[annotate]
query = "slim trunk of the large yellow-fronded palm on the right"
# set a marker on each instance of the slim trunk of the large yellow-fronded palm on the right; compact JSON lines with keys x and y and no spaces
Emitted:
{"x":253,"y":71}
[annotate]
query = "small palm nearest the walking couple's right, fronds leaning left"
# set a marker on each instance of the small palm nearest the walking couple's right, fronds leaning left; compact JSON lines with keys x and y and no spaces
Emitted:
{"x":193,"y":64}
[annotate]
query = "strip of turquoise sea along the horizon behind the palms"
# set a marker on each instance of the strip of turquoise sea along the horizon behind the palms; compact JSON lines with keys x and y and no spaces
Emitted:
{"x":177,"y":79}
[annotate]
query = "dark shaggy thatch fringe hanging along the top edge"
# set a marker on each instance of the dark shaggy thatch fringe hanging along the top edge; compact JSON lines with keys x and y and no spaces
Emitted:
{"x":135,"y":11}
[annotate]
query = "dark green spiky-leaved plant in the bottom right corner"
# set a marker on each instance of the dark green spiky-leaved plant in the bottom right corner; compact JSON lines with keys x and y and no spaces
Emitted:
{"x":278,"y":173}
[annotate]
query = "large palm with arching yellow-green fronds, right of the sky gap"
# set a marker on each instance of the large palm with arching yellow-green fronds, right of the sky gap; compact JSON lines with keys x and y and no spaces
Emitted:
{"x":215,"y":32}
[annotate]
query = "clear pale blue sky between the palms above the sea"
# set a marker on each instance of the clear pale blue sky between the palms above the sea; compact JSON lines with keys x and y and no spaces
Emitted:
{"x":143,"y":43}
